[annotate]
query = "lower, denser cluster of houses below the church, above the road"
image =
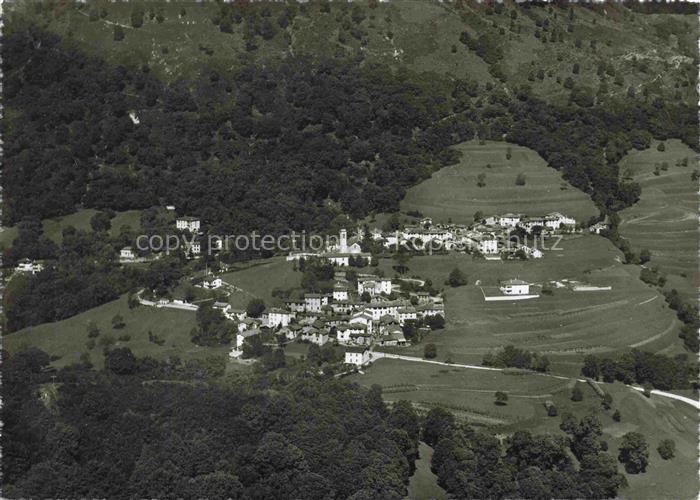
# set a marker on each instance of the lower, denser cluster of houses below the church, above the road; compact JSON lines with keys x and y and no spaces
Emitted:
{"x":340,"y":316}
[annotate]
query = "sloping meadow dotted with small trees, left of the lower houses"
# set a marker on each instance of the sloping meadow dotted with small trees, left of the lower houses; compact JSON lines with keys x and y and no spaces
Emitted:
{"x":67,"y":338}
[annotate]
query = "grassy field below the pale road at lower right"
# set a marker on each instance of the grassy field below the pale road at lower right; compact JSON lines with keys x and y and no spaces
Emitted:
{"x":470,"y":394}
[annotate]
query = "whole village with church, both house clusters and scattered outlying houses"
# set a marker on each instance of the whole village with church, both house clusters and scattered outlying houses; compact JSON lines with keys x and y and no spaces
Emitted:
{"x":365,"y":310}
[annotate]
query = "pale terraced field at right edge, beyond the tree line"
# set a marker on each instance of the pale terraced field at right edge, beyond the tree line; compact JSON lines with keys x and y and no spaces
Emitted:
{"x":665,"y":220}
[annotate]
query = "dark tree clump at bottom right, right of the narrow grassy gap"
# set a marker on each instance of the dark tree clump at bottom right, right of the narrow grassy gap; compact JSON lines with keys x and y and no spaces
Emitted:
{"x":472,"y":463}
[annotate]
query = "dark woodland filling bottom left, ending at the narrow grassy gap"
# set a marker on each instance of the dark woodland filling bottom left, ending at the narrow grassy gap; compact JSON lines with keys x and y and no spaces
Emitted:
{"x":134,"y":431}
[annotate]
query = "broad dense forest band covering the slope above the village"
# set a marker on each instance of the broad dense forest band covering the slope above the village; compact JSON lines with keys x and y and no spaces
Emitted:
{"x":282,"y":146}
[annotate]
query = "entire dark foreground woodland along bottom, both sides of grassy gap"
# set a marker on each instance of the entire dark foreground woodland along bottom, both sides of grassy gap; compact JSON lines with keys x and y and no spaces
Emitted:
{"x":143,"y":428}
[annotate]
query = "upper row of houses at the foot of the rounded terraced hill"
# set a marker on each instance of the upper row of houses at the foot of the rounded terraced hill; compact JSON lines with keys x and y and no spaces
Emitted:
{"x":489,"y":236}
